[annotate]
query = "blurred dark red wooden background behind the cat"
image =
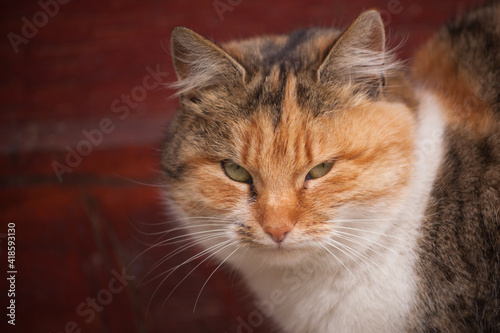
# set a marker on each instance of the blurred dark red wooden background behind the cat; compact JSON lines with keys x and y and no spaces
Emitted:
{"x":71,"y":234}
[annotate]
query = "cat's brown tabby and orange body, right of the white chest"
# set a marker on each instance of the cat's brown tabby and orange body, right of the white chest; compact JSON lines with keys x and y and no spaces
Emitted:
{"x":459,"y":256}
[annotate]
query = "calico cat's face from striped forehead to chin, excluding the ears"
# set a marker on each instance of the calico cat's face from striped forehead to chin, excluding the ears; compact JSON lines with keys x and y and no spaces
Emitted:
{"x":280,"y":179}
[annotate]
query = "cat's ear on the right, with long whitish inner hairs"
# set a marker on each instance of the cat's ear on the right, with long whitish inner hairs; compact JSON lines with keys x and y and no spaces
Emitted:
{"x":358,"y":56}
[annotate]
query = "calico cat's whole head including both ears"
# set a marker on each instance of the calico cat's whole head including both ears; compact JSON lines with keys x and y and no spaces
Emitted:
{"x":280,"y":139}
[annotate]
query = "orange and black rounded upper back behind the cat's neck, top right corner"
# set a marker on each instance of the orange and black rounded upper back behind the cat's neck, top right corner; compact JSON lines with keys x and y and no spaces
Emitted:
{"x":461,"y":65}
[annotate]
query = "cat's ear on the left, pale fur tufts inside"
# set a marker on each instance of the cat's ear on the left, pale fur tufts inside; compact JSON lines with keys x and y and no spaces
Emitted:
{"x":200,"y":63}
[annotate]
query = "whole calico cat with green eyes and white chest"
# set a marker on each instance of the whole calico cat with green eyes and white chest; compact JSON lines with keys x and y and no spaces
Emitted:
{"x":319,"y":153}
